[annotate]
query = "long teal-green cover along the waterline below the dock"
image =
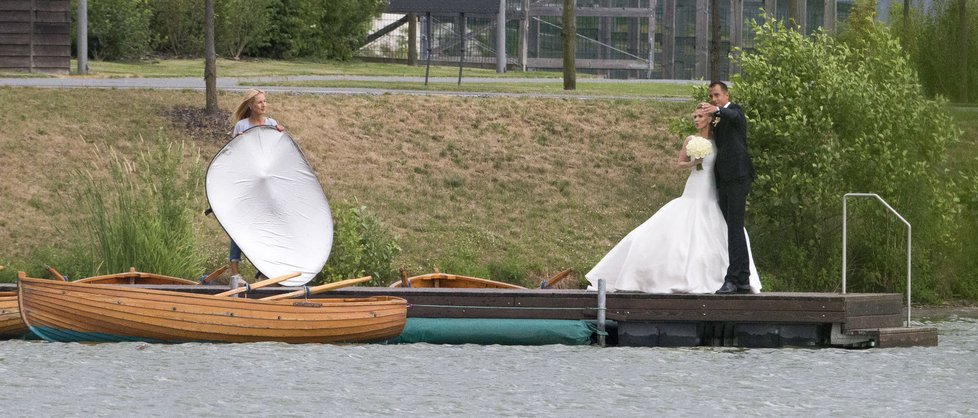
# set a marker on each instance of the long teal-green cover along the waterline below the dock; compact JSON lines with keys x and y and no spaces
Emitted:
{"x":496,"y":331}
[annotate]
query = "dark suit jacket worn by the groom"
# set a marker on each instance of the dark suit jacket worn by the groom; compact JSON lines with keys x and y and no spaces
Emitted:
{"x":730,"y":134}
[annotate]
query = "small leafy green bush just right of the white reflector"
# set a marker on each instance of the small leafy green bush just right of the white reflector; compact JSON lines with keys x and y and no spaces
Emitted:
{"x":361,"y":246}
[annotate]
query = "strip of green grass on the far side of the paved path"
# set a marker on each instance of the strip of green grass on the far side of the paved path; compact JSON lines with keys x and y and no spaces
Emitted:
{"x":261,"y":68}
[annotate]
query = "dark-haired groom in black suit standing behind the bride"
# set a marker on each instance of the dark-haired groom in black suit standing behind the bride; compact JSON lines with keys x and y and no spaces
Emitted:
{"x":734,"y":174}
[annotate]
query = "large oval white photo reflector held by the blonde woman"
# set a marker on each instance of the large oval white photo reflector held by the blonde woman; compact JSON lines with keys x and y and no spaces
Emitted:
{"x":268,"y":199}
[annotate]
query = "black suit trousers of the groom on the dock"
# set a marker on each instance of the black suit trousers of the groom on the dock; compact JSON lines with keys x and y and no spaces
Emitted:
{"x":732,"y":197}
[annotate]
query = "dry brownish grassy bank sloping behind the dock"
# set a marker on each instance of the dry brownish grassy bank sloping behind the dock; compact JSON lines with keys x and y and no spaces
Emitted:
{"x":512,"y":189}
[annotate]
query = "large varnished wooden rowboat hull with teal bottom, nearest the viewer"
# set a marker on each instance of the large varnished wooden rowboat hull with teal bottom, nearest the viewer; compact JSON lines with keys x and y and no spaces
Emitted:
{"x":78,"y":312}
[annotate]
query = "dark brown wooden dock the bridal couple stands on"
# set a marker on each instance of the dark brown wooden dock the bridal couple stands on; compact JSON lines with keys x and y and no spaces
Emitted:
{"x":773,"y":319}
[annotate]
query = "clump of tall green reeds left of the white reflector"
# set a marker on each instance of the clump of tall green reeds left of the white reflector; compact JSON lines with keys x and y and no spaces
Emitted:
{"x":142,"y":216}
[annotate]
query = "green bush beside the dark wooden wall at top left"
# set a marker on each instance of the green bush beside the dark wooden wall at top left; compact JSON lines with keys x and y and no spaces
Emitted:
{"x":119,"y":30}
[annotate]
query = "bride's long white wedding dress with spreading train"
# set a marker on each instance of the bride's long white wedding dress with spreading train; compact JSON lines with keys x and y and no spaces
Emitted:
{"x":682,"y":248}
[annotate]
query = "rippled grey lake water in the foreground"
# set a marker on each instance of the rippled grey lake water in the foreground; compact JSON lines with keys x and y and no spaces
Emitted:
{"x":126,"y":379}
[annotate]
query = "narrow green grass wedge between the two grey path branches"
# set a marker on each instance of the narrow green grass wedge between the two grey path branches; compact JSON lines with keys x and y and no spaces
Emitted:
{"x":556,"y":87}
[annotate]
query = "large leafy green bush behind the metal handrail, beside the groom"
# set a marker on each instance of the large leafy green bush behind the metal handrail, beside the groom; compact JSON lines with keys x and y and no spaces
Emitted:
{"x":830,"y":116}
